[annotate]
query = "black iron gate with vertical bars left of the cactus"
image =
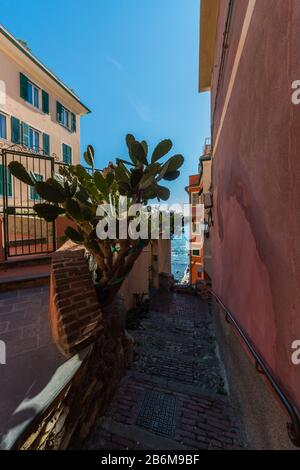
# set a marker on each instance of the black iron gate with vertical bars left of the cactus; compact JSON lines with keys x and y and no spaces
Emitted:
{"x":24,"y":232}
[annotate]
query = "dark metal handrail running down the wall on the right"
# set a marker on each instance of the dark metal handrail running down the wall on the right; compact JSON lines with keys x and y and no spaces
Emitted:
{"x":294,"y":426}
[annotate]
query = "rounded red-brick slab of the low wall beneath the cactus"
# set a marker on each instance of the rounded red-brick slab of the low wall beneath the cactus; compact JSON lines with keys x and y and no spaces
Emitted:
{"x":75,"y":314}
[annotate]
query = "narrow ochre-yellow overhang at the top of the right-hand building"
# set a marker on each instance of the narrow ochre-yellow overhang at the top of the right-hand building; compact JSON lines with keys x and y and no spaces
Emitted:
{"x":208,"y":26}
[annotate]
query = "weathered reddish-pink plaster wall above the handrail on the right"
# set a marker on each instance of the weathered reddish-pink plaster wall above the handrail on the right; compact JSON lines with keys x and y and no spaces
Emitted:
{"x":256,"y":176}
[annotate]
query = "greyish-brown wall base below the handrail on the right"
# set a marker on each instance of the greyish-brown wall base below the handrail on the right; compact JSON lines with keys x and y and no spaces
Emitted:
{"x":264,"y":419}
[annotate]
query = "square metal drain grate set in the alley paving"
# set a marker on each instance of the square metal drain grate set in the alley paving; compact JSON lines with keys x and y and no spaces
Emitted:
{"x":158,"y":413}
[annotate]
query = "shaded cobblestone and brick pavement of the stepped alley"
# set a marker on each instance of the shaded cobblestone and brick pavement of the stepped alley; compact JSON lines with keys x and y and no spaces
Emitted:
{"x":175,"y":395}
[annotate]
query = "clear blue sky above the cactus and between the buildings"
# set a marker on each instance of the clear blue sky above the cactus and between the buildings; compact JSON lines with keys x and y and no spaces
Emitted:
{"x":133,"y":62}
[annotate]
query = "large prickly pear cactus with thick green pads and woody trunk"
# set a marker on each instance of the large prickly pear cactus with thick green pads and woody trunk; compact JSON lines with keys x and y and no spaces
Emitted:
{"x":78,"y":193}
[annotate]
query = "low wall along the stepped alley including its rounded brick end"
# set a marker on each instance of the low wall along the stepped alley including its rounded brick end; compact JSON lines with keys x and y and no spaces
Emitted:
{"x":77,"y":320}
